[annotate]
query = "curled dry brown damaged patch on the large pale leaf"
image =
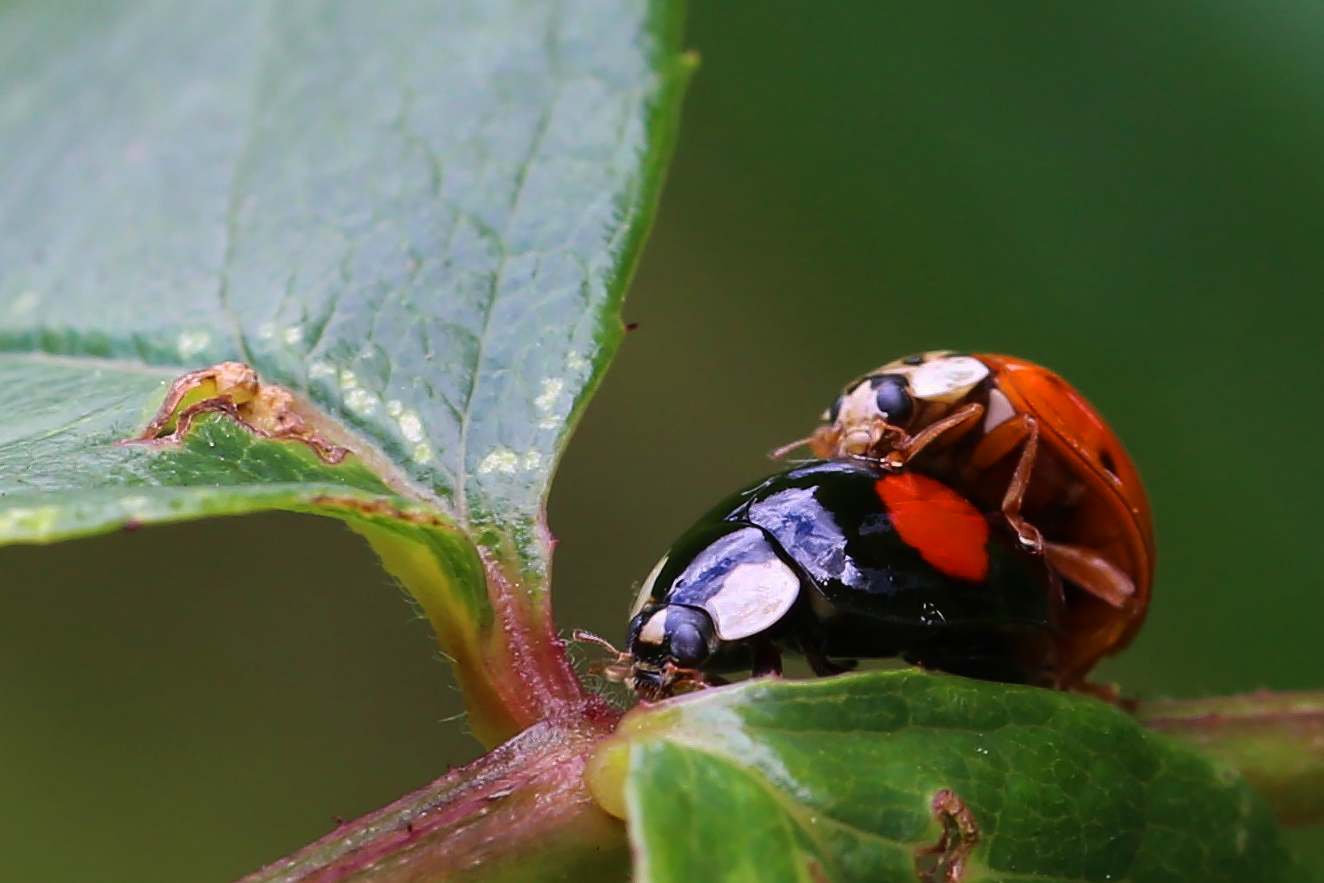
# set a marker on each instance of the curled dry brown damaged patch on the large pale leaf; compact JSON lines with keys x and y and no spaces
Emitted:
{"x":232,"y":389}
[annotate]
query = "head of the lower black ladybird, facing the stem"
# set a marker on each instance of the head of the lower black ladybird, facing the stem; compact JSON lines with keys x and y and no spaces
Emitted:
{"x":668,"y":647}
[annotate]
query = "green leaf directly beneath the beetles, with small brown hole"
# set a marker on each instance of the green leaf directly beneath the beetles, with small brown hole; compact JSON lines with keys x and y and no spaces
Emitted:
{"x":908,"y":775}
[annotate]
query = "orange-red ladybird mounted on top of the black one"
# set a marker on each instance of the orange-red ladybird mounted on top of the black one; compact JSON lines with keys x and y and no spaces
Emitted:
{"x":1017,"y":440}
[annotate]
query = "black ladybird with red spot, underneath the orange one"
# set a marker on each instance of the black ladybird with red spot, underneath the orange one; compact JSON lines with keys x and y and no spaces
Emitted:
{"x":841,"y":559}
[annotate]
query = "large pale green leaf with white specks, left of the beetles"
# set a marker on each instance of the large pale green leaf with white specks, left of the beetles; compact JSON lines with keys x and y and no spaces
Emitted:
{"x":415,"y":218}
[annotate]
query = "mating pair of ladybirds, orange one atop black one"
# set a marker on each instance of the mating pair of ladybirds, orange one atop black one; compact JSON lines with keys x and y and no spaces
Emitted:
{"x":970,"y":514}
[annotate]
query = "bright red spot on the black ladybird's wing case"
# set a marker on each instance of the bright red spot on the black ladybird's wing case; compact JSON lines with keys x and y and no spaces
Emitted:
{"x":941,"y":525}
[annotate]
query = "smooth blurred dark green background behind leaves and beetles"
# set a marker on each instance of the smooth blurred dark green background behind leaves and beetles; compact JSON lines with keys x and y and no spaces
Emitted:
{"x":1131,"y":194}
